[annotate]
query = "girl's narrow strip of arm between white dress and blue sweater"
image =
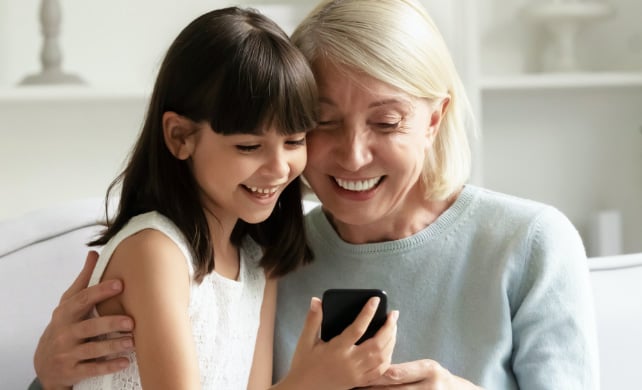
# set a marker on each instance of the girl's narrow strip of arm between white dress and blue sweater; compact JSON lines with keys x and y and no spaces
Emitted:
{"x":261,"y":374}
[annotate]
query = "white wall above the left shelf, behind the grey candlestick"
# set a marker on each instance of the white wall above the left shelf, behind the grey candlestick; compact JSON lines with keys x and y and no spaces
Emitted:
{"x":119,"y":43}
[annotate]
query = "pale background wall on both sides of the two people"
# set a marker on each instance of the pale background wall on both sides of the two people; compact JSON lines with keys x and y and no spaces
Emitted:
{"x":72,"y":144}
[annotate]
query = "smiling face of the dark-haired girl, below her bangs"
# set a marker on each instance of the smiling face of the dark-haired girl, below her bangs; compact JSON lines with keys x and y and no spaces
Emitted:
{"x":242,"y":176}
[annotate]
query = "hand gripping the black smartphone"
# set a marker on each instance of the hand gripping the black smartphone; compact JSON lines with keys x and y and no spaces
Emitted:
{"x":339,"y":363}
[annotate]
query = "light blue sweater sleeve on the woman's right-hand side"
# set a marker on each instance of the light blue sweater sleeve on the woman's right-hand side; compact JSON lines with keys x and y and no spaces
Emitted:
{"x":553,"y":321}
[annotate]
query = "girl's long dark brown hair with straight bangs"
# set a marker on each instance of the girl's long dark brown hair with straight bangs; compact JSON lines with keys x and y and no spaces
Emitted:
{"x":236,"y":70}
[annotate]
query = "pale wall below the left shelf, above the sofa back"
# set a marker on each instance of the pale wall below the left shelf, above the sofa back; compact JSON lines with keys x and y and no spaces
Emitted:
{"x":53,"y":151}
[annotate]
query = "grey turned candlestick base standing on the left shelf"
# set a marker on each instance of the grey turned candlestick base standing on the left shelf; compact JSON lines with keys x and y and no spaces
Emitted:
{"x":51,"y":55}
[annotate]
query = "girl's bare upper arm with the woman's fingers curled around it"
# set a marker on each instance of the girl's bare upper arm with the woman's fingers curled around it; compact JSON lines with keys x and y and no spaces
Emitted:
{"x":156,"y":295}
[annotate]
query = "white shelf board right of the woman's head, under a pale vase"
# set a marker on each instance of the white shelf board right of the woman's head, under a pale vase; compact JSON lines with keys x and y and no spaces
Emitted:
{"x":561,"y":81}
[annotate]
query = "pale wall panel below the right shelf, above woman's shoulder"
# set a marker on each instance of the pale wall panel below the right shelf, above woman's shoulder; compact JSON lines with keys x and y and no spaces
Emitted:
{"x":583,"y":157}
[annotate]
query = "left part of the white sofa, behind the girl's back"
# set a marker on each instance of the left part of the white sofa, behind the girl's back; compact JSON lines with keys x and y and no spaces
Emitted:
{"x":40,"y":255}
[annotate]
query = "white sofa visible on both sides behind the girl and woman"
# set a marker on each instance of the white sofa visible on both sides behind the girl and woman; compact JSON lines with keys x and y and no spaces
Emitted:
{"x":42,"y":252}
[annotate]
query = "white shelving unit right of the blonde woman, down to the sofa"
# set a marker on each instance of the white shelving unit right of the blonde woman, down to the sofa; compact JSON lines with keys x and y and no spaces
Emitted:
{"x":570,"y":139}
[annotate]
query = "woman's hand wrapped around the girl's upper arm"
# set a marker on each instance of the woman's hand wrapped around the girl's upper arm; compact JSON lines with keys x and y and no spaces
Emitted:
{"x":65,"y":354}
